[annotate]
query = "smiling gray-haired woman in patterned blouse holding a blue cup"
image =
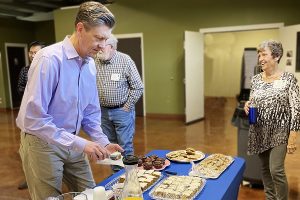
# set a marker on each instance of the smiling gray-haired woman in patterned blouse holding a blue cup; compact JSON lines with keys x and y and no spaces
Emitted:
{"x":277,"y":98}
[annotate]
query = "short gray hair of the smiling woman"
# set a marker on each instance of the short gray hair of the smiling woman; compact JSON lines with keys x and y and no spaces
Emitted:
{"x":274,"y":46}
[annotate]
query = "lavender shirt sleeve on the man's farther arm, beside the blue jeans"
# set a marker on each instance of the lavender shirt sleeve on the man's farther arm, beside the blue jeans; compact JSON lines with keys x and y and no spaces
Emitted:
{"x":91,"y":123}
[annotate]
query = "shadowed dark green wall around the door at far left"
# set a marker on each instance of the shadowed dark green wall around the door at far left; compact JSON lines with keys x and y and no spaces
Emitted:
{"x":16,"y":31}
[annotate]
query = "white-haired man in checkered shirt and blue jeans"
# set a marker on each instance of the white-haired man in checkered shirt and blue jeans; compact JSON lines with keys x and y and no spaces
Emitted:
{"x":119,"y":87}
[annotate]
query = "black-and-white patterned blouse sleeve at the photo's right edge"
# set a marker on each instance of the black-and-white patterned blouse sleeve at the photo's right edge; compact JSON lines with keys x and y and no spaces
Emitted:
{"x":294,"y":101}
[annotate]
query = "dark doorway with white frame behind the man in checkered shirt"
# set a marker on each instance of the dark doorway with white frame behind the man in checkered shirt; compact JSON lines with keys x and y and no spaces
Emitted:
{"x":132,"y":44}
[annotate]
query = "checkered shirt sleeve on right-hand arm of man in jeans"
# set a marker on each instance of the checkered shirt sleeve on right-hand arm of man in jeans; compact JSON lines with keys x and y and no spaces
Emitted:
{"x":135,"y":84}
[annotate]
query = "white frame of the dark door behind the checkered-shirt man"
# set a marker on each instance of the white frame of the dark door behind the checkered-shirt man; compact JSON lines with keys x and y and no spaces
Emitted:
{"x":137,"y":35}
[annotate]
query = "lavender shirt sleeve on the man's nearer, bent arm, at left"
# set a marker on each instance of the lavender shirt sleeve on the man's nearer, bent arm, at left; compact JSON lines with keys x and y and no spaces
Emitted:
{"x":42,"y":81}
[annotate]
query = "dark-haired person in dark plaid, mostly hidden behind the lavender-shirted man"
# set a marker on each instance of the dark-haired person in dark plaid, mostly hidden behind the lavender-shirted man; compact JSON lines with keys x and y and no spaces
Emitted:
{"x":34,"y":47}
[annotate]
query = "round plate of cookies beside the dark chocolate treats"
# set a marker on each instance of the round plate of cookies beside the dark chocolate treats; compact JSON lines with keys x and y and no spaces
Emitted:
{"x":185,"y":156}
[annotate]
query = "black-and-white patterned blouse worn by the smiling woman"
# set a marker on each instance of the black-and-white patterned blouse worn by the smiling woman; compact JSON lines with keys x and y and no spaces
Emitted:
{"x":278,"y":105}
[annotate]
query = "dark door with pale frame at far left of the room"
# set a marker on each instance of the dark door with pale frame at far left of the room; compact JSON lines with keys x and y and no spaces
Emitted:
{"x":16,"y":58}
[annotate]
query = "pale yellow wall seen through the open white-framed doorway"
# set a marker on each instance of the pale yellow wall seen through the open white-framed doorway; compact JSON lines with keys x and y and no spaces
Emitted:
{"x":223,"y":59}
